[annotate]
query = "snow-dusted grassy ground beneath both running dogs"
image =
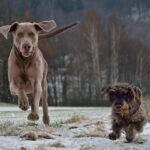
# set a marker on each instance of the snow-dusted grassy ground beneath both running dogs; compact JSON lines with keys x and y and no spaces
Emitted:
{"x":72,"y":128}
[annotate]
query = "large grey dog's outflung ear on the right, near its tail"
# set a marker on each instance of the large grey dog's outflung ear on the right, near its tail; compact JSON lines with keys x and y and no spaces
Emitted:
{"x":45,"y":26}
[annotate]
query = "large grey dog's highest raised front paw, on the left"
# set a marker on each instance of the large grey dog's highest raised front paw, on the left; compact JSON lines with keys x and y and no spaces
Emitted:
{"x":23,"y":104}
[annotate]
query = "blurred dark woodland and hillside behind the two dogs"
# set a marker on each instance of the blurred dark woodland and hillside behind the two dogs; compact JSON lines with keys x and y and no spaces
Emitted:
{"x":111,"y":44}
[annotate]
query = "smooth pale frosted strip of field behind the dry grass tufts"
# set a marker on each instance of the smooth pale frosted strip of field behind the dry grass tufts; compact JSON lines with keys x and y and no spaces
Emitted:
{"x":13,"y":113}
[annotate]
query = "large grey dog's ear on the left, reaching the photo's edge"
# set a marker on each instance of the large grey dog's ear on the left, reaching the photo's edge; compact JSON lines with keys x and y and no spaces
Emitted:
{"x":8,"y":28}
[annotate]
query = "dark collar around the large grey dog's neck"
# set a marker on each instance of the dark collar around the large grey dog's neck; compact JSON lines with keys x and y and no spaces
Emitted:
{"x":20,"y":57}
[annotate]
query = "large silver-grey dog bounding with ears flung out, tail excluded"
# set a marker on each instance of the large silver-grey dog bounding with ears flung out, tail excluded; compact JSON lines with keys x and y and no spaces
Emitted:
{"x":27,"y":69}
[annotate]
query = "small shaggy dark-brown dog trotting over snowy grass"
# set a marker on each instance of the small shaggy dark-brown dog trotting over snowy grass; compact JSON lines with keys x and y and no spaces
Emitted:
{"x":128,"y":110}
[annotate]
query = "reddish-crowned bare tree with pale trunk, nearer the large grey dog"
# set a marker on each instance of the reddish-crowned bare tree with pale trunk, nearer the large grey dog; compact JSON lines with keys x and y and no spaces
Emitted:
{"x":91,"y":30}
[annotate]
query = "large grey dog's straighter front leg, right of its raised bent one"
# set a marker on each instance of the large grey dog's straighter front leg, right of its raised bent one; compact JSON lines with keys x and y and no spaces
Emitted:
{"x":37,"y":91}
